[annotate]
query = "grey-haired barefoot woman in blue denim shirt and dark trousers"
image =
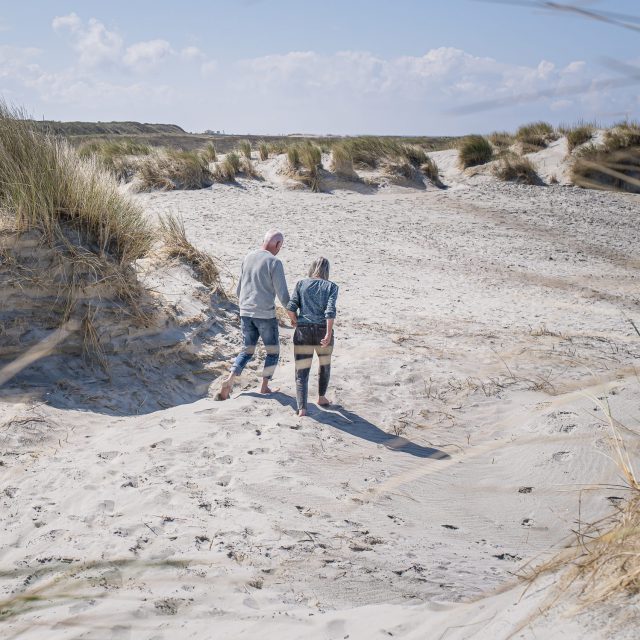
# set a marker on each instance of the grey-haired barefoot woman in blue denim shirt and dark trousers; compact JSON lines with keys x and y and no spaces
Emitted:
{"x":312,"y":310}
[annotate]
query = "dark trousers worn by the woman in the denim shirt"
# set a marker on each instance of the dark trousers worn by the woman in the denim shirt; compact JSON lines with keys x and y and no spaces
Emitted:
{"x":306,"y":340}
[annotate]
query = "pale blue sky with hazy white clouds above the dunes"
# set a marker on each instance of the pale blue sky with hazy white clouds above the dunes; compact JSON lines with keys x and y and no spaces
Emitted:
{"x":347,"y":67}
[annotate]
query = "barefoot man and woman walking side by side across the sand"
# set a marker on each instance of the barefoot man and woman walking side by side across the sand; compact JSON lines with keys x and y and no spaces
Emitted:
{"x":311,"y":309}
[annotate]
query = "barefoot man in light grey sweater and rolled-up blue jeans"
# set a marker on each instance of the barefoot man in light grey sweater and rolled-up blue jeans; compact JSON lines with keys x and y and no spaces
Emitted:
{"x":261,"y":280}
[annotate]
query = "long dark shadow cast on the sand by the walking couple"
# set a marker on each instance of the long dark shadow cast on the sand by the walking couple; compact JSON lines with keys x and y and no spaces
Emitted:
{"x":340,"y":418}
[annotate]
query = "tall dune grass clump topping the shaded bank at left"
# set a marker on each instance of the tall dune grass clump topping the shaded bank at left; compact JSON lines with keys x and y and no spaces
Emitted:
{"x":45,"y":184}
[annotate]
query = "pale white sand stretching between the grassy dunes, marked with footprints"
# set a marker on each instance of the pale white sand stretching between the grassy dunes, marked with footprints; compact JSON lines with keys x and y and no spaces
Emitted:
{"x":480,"y":323}
